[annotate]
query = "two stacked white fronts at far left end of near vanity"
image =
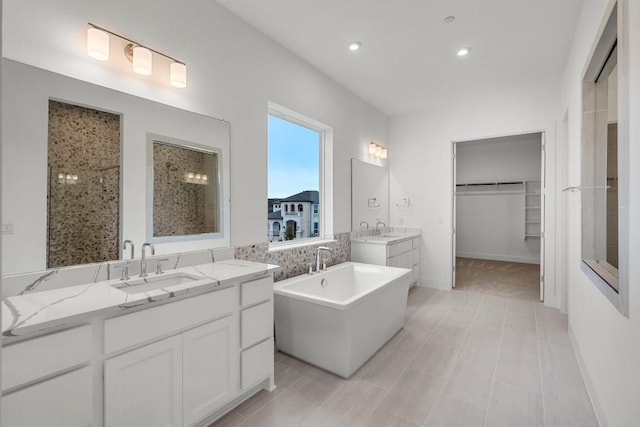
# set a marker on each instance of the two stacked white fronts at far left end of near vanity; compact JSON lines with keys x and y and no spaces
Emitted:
{"x":47,"y":380}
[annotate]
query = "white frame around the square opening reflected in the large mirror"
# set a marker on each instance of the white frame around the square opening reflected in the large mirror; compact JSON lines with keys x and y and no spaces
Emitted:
{"x":153,"y":138}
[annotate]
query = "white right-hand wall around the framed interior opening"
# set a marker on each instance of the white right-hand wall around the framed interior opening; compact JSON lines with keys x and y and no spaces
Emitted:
{"x":607,"y":342}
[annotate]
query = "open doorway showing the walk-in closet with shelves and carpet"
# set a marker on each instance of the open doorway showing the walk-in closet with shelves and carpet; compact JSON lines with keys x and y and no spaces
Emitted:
{"x":498,"y":208}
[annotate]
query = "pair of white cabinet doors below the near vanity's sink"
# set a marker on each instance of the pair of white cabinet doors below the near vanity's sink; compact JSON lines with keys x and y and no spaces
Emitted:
{"x":173,"y":382}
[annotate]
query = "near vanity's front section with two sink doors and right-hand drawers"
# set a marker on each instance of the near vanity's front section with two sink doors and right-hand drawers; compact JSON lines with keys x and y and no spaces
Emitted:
{"x":197,"y":361}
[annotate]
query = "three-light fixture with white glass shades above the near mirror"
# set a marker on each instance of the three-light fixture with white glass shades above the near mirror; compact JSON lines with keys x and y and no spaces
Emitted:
{"x":139,"y":55}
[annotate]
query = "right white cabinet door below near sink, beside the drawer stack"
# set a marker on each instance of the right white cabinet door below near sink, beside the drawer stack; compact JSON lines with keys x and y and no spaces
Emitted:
{"x":210,"y":368}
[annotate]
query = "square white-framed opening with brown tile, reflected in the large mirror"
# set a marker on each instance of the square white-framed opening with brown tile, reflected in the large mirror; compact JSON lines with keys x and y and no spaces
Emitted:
{"x":183,"y":189}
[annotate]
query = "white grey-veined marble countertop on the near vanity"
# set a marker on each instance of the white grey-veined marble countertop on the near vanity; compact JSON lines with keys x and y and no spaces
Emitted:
{"x":39,"y":311}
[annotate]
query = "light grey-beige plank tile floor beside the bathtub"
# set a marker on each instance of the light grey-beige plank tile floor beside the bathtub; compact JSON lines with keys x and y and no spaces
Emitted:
{"x":462,"y":359}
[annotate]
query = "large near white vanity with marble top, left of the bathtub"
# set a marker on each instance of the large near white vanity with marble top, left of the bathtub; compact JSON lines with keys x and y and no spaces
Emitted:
{"x":94,"y":355}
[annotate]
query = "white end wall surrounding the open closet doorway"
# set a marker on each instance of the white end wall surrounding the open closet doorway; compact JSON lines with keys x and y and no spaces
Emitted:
{"x":421,"y":166}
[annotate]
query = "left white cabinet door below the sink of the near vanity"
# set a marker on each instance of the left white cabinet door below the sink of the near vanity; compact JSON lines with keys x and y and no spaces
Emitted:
{"x":144,"y":387}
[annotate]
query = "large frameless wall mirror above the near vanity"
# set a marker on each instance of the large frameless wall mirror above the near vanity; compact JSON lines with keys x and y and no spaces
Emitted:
{"x":102,"y":175}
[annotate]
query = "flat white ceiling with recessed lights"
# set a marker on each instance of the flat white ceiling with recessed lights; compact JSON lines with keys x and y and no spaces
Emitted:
{"x":408,"y":59}
